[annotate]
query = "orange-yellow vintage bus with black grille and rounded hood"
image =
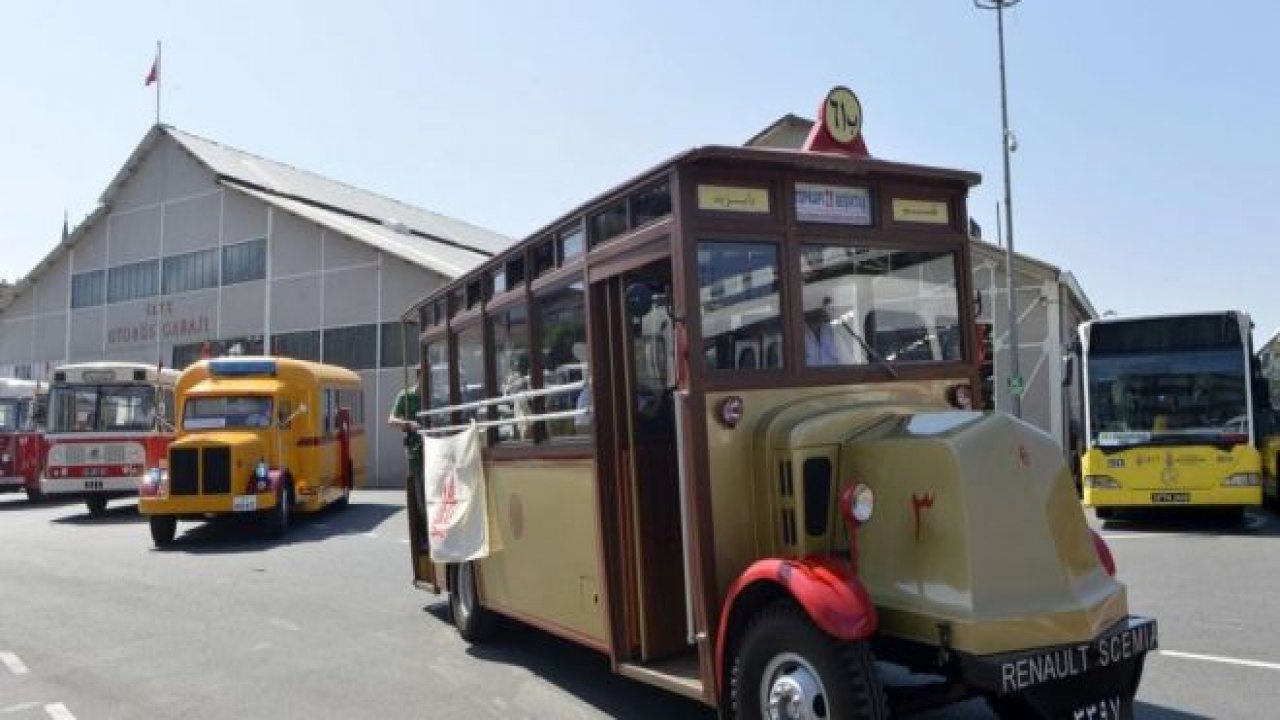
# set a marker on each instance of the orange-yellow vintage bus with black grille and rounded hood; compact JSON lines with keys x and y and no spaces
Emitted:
{"x":259,"y":436}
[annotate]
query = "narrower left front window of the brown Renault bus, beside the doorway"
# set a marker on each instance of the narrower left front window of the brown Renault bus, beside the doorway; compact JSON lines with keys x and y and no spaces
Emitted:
{"x":740,"y":311}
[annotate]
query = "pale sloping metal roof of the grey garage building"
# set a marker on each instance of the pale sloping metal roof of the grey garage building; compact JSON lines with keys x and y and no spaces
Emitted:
{"x":273,"y":179}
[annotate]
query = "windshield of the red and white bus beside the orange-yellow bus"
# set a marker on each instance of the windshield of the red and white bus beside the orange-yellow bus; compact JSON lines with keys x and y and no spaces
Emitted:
{"x":102,"y":408}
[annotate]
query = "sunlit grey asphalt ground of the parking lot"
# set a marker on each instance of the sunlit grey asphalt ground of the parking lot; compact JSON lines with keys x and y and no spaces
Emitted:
{"x":97,"y":625}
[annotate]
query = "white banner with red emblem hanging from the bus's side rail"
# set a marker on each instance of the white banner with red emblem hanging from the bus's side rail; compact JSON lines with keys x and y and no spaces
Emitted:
{"x":456,"y":511}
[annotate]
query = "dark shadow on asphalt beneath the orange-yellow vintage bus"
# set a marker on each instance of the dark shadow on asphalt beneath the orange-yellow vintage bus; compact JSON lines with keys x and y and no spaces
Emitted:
{"x":226,"y":536}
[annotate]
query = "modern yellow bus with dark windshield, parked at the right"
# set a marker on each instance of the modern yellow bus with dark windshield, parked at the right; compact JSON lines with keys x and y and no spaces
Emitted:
{"x":1172,"y":414}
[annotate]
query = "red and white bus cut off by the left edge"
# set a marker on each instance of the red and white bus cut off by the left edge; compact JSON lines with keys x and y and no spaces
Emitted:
{"x":22,"y":435}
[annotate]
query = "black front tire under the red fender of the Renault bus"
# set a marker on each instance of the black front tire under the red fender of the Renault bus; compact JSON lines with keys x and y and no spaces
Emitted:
{"x":784,"y":653}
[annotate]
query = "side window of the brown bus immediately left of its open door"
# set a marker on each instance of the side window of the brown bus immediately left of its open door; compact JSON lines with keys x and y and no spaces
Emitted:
{"x":563,"y":321}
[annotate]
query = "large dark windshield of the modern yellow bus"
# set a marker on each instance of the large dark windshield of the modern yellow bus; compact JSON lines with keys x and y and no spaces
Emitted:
{"x":1186,"y":397}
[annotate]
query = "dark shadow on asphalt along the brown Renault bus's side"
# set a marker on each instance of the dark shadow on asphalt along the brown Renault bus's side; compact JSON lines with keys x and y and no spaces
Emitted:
{"x":582,"y":672}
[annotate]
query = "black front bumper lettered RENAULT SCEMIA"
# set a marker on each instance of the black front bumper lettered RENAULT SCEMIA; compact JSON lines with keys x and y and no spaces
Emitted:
{"x":1092,"y":680}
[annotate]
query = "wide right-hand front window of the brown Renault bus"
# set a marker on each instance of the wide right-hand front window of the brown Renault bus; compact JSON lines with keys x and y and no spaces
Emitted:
{"x":899,"y":306}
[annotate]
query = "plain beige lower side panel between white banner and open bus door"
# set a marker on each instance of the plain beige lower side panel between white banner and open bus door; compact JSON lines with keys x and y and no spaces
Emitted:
{"x":545,"y":564}
